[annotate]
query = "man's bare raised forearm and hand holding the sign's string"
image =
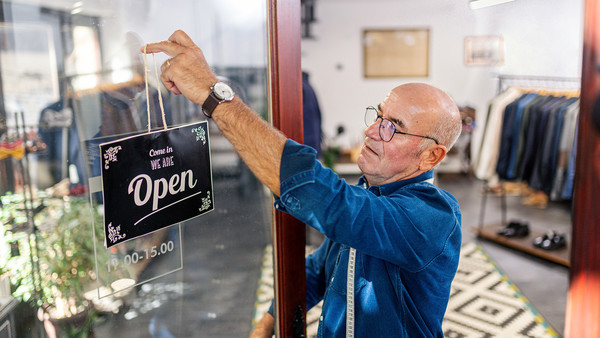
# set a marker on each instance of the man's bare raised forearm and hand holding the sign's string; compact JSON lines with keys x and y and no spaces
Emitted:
{"x":188,"y":73}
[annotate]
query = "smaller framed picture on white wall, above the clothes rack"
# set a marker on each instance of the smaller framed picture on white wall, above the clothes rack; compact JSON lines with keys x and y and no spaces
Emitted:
{"x":484,"y":50}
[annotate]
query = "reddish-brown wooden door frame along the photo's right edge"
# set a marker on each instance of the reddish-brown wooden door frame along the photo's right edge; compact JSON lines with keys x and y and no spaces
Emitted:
{"x":583,"y":302}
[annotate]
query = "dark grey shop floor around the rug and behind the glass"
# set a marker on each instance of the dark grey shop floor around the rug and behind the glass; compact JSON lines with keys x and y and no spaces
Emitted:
{"x":214,"y":294}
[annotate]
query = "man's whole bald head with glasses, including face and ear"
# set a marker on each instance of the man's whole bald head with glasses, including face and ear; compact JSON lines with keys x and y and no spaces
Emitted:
{"x":418,"y":115}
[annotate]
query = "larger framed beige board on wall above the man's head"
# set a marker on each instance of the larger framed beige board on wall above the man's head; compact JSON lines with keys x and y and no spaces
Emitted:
{"x":396,"y":53}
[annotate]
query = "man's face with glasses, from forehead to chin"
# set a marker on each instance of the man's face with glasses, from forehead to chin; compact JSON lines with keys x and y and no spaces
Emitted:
{"x":385,"y":162}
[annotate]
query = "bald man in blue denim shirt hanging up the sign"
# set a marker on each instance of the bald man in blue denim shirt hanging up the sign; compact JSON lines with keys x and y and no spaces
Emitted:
{"x":399,"y":233}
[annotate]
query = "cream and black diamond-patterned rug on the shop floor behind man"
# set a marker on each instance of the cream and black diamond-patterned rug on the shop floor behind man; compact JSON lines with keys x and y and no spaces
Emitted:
{"x":483,"y":302}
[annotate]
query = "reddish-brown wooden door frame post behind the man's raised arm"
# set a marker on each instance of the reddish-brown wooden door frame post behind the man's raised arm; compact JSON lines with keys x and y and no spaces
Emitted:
{"x":289,"y":235}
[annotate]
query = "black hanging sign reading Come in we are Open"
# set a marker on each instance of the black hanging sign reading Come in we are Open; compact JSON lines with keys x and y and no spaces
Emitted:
{"x":154,"y":180}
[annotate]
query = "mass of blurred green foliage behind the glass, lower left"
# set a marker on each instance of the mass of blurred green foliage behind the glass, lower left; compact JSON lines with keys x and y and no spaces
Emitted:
{"x":56,"y":263}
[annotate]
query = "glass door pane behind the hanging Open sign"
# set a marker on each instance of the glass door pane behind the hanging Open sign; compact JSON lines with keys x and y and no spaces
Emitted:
{"x":72,"y":79}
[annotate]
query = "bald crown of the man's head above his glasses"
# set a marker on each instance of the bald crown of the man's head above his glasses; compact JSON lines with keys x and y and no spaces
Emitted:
{"x":434,"y":111}
